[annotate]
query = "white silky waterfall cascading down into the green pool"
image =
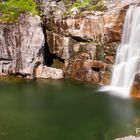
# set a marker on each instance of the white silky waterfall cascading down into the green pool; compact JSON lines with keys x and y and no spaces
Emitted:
{"x":128,"y":54}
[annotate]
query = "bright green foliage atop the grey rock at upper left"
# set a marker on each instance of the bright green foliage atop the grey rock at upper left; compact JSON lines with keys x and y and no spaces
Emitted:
{"x":10,"y":10}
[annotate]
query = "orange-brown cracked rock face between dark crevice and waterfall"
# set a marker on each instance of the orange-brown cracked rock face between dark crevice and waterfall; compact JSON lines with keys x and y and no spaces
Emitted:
{"x":87,"y":43}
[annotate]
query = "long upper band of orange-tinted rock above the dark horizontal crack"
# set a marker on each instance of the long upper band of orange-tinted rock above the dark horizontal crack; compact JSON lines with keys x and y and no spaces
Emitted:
{"x":92,"y":26}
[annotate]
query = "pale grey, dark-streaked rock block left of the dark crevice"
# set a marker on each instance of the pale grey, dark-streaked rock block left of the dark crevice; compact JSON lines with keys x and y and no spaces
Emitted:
{"x":21,"y":46}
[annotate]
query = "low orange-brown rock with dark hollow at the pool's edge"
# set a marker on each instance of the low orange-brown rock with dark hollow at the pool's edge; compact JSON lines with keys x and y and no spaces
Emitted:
{"x":88,"y":70}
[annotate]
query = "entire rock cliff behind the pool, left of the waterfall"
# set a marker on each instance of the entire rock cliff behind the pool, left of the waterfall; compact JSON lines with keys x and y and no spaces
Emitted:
{"x":79,"y":46}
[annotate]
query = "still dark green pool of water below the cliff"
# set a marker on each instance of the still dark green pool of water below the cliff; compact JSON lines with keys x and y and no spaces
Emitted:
{"x":63,"y":110}
